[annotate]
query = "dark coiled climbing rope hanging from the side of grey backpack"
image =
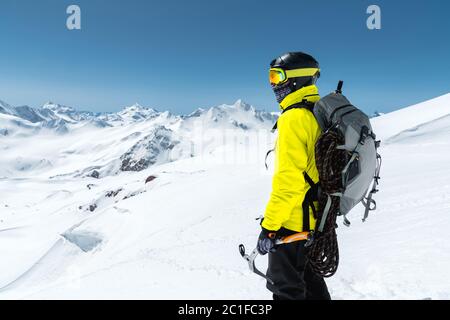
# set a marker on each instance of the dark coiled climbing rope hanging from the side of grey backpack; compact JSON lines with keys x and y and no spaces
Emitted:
{"x":323,"y":252}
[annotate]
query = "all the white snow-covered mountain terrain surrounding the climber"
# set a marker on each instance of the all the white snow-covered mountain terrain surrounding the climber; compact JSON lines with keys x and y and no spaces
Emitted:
{"x":77,"y":219}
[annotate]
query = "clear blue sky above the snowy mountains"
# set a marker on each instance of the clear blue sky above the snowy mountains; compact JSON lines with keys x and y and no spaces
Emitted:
{"x":180,"y":55}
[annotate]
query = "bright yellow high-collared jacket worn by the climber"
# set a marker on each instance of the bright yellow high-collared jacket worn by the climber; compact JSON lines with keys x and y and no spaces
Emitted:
{"x":298,"y":132}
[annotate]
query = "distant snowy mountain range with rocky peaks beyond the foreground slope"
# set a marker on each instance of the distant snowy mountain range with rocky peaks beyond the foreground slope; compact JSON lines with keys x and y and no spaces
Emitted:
{"x":142,"y":136}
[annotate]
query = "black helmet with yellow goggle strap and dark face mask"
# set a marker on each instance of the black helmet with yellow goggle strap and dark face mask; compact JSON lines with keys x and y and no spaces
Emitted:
{"x":294,"y":61}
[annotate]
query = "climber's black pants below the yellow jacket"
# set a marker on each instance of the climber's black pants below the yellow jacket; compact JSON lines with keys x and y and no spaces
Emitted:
{"x":293,"y":278}
